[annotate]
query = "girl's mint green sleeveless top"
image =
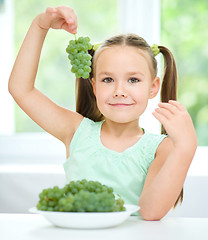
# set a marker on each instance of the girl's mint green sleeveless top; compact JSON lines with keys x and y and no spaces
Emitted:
{"x":124,"y":171}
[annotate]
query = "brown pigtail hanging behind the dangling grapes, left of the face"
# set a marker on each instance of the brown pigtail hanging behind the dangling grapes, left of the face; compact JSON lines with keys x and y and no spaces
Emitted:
{"x":85,"y":99}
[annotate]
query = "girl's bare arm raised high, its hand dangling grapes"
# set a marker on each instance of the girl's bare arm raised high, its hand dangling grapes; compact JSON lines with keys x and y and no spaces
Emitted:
{"x":56,"y":120}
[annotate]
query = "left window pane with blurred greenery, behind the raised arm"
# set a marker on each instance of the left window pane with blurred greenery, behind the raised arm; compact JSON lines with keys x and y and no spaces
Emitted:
{"x":97,"y":19}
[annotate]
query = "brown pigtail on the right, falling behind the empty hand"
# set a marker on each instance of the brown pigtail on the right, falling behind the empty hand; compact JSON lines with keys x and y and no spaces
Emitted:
{"x":169,"y":89}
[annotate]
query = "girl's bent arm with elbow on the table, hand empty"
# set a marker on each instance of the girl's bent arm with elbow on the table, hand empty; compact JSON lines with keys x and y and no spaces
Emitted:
{"x":167,"y":173}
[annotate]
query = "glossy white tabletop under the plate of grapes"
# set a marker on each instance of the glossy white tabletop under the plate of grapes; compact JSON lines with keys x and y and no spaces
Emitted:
{"x":34,"y":226}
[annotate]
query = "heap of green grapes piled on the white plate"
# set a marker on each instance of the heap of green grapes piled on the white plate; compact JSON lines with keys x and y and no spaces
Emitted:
{"x":80,"y":196}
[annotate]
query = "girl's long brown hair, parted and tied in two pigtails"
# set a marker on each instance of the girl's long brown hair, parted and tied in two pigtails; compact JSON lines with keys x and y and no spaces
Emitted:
{"x":85,"y":98}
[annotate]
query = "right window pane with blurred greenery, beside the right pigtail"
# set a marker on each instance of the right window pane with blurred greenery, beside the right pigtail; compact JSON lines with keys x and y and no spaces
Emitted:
{"x":184,"y":31}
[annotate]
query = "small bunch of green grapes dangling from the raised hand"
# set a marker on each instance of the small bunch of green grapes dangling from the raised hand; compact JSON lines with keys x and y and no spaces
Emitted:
{"x":80,"y":58}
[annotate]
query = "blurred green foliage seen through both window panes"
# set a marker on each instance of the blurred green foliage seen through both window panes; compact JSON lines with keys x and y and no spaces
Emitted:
{"x":183,"y":30}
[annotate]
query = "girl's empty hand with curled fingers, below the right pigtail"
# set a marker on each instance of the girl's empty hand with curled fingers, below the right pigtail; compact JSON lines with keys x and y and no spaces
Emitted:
{"x":178,"y":124}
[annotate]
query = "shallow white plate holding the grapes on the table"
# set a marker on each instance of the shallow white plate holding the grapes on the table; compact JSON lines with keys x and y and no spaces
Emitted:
{"x":87,"y":220}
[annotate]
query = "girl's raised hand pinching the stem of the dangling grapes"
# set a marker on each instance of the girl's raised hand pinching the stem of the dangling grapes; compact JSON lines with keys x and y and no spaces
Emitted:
{"x":58,"y":18}
